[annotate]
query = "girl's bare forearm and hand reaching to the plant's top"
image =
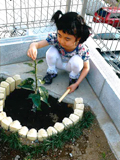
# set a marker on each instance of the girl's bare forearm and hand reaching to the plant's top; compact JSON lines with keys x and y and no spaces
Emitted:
{"x":32,"y":51}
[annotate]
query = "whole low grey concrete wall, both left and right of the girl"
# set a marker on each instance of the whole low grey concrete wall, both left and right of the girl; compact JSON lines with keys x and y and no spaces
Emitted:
{"x":101,"y":77}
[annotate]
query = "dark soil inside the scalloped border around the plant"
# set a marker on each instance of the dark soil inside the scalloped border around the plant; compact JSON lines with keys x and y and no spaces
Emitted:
{"x":19,"y":107}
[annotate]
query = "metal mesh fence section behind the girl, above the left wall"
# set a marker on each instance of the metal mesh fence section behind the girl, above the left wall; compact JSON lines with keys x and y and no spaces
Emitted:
{"x":18,"y":17}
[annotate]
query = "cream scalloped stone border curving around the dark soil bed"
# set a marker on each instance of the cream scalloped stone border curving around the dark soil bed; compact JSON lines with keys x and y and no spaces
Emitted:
{"x":8,"y":86}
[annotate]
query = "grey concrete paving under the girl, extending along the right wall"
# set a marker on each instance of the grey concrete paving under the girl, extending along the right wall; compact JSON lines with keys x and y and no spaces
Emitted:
{"x":58,"y":87}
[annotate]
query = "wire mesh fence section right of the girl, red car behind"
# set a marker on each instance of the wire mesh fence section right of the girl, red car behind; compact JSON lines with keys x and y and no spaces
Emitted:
{"x":106,"y":34}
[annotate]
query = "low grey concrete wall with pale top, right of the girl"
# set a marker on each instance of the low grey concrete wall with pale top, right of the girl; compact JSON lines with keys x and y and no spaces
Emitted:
{"x":105,"y":84}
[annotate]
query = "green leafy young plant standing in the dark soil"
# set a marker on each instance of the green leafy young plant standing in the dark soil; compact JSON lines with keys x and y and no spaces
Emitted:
{"x":40,"y":92}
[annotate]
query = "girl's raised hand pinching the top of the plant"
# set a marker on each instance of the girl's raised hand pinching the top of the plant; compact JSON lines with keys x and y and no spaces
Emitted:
{"x":32,"y":52}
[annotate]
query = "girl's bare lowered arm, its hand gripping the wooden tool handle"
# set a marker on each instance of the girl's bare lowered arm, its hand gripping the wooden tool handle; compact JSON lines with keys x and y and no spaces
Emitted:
{"x":83,"y":74}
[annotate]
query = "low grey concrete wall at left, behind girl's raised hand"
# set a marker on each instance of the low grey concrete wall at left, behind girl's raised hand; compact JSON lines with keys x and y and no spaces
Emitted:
{"x":14,"y":50}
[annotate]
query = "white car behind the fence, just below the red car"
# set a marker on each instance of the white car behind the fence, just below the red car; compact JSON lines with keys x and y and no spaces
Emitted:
{"x":106,"y":37}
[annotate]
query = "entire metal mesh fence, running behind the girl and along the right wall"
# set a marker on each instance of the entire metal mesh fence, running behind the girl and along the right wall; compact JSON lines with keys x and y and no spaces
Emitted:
{"x":25,"y":17}
